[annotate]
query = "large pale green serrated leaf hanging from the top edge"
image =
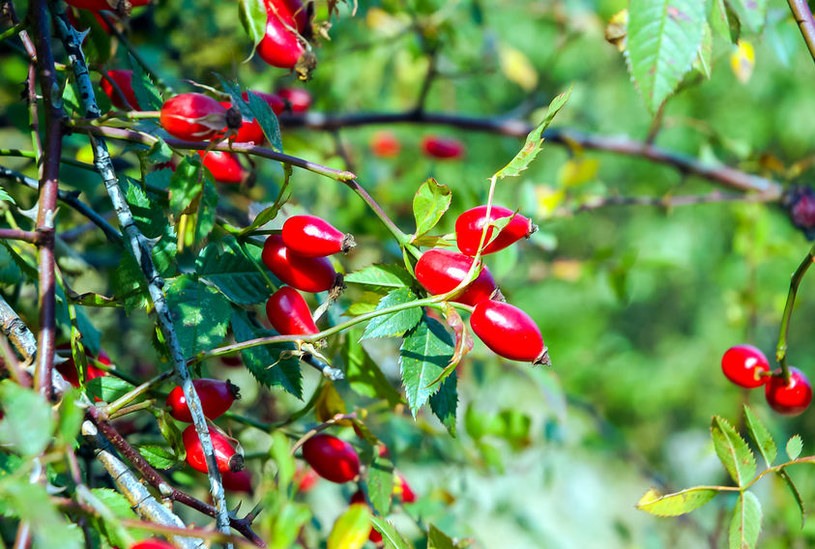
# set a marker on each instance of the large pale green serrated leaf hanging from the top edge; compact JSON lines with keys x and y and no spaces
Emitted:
{"x":664,"y":37}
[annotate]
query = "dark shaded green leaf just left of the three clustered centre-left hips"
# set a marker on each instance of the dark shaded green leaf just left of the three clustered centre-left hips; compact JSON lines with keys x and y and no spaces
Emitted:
{"x":226,"y":265}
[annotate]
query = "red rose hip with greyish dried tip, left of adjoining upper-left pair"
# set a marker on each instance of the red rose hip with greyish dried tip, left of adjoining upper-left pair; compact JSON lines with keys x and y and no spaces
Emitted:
{"x":193,"y":117}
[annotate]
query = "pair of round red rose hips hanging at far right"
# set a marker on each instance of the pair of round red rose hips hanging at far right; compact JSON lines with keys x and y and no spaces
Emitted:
{"x":746,"y":366}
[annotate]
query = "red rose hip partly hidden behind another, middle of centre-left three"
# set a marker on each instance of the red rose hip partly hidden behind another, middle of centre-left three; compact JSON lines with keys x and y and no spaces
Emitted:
{"x":308,"y":274}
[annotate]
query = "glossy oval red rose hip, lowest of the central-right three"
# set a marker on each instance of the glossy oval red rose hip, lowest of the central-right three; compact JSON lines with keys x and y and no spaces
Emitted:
{"x":508,"y":331}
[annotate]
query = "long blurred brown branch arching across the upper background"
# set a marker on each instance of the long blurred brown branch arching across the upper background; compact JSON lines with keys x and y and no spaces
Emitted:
{"x":719,"y":174}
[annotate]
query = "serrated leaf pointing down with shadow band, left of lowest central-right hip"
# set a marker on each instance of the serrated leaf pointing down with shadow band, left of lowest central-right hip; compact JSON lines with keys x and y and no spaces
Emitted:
{"x":424,"y":353}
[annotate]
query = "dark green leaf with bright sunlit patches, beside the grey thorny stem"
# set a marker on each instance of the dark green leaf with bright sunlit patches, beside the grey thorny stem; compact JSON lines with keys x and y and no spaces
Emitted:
{"x":200,"y":314}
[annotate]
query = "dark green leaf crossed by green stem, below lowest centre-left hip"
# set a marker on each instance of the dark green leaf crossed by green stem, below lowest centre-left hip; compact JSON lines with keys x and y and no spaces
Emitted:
{"x":265,"y":362}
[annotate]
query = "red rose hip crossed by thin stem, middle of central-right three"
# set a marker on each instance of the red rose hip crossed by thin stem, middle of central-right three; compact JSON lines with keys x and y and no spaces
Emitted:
{"x":439,"y":271}
